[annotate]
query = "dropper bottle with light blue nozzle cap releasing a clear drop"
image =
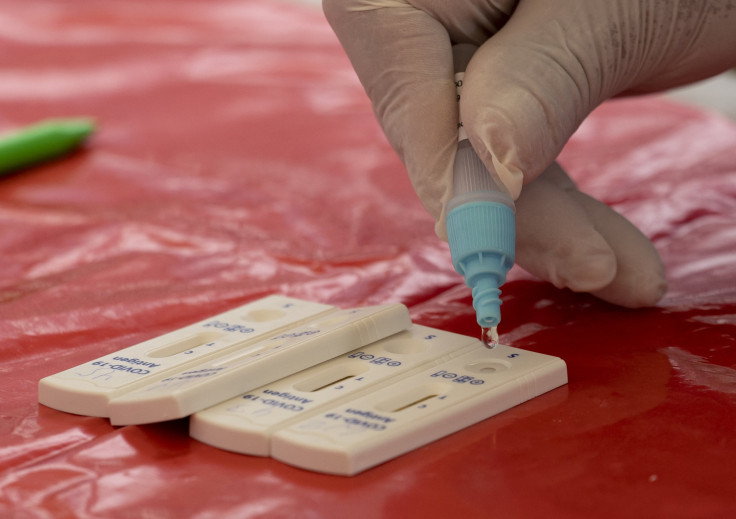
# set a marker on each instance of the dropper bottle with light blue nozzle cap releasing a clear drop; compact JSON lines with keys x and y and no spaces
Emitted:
{"x":481,"y":223}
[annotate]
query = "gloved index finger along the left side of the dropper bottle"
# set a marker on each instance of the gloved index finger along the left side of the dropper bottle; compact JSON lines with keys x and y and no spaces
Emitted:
{"x":403,"y":59}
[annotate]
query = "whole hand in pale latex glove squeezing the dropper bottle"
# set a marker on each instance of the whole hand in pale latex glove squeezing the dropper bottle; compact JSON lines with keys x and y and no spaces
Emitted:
{"x":542,"y":66}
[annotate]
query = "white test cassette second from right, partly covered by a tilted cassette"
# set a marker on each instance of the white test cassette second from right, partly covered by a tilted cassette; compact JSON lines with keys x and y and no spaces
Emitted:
{"x":247,"y":422}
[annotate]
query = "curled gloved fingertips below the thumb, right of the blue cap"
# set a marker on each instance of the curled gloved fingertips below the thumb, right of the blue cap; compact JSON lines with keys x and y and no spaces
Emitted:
{"x":574,"y":241}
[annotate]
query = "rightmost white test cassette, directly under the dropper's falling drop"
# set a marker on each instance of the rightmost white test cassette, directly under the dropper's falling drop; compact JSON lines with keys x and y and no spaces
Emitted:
{"x":355,"y":435}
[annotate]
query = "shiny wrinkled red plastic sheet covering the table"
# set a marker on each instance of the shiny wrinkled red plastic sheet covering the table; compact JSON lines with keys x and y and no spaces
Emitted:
{"x":237,"y":156}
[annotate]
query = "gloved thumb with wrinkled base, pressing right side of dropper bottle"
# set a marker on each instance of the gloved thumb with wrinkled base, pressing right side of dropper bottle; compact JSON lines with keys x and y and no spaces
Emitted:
{"x":529,"y":87}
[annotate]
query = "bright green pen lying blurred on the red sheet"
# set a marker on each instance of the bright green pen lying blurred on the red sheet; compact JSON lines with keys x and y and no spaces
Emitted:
{"x":42,"y":142}
